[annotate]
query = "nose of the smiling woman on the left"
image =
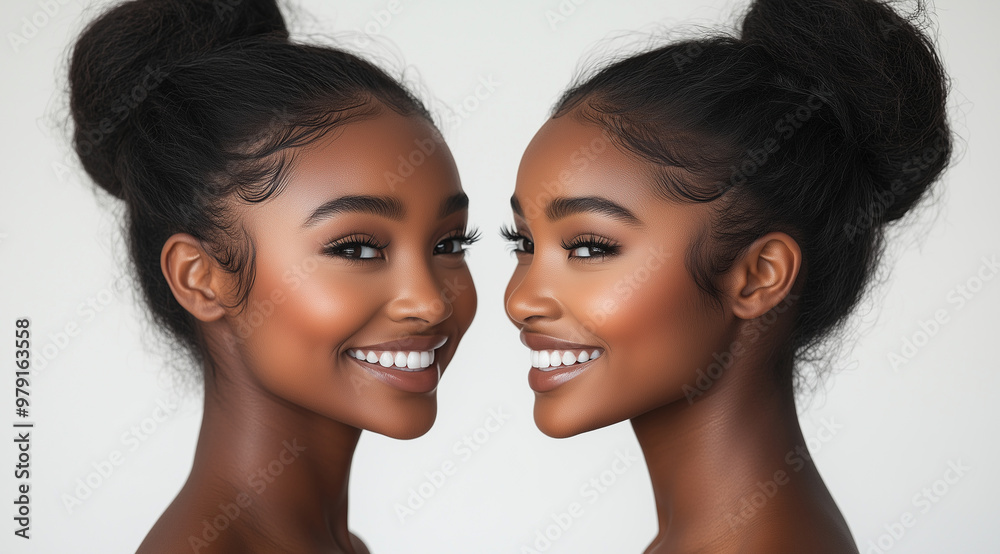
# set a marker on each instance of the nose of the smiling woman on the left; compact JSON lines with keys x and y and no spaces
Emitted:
{"x":419,"y":295}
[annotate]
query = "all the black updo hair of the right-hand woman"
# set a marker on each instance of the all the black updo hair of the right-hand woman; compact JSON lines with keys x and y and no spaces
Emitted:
{"x":825,"y":119}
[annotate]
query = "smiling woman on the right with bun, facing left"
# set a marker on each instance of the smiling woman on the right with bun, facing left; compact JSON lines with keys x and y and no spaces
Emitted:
{"x":695,"y":222}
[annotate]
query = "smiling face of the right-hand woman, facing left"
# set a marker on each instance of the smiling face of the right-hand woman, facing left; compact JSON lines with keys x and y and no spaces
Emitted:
{"x":601,"y":269}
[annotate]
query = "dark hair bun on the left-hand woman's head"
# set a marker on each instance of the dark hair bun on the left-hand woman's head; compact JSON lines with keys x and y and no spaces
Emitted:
{"x":124,"y":55}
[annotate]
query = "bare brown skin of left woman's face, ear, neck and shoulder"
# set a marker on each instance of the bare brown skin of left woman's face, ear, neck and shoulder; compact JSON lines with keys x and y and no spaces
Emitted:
{"x":284,"y":377}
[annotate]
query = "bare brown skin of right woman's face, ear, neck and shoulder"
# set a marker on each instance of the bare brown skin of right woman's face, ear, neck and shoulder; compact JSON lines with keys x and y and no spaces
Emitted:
{"x":641,"y":306}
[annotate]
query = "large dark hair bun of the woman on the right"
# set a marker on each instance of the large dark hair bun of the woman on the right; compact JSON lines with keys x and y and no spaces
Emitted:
{"x":887,"y":82}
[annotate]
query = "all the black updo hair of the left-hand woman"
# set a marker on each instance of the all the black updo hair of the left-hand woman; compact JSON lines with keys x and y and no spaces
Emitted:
{"x":180,"y":106}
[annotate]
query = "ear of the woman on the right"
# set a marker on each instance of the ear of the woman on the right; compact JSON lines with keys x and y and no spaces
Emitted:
{"x":764,"y":275}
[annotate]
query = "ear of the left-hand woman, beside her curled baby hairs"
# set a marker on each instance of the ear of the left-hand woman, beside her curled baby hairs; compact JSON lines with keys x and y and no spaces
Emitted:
{"x":191,"y":273}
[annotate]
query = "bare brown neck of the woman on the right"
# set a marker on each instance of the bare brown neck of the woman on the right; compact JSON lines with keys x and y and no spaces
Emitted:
{"x":724,"y":464}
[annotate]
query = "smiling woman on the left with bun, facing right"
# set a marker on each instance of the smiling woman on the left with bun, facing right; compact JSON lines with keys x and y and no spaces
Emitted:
{"x":321,"y":288}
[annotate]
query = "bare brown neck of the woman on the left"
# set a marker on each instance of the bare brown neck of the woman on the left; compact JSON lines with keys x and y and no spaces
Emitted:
{"x":290,"y":467}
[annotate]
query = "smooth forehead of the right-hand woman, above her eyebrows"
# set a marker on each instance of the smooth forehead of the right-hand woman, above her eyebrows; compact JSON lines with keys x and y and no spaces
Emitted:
{"x":571,"y":157}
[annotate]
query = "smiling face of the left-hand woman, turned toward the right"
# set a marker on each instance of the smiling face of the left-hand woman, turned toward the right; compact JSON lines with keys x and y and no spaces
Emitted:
{"x":360,"y":255}
